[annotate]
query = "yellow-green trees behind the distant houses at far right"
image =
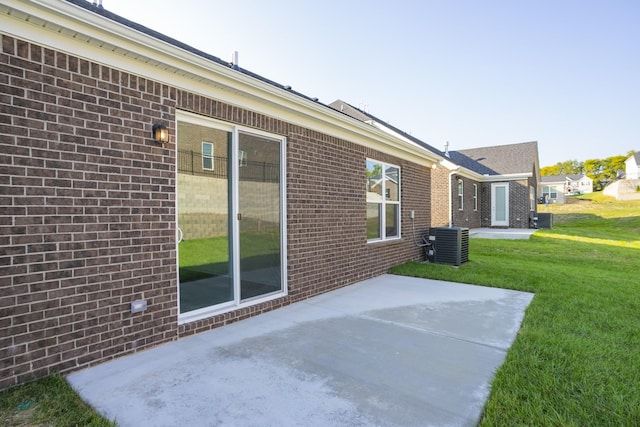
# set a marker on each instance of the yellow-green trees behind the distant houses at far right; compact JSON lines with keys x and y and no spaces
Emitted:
{"x":601,"y":171}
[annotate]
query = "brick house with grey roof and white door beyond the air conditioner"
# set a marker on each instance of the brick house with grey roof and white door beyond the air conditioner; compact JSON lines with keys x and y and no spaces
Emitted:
{"x":482,"y":187}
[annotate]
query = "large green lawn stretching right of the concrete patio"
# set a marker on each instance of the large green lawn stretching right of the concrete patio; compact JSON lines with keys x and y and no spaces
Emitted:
{"x":576,"y":360}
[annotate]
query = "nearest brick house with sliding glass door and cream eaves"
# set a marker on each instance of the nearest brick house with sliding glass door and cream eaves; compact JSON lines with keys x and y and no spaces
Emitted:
{"x":267,"y":186}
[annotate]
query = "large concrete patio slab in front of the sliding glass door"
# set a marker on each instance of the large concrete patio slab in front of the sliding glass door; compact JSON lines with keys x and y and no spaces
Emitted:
{"x":389,"y":351}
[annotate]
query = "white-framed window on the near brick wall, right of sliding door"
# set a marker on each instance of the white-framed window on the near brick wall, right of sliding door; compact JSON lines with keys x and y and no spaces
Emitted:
{"x":383,"y":201}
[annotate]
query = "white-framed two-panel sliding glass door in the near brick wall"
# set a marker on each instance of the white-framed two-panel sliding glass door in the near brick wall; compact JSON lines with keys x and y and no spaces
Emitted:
{"x":230,"y":218}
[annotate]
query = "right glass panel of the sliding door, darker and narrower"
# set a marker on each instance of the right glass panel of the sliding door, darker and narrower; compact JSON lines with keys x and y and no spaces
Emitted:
{"x":259,"y":215}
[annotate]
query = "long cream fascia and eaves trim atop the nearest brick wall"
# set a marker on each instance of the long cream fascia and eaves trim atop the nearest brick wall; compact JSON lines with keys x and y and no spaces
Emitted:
{"x":71,"y":29}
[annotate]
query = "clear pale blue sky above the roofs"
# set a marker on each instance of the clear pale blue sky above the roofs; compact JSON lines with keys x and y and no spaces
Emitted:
{"x":472,"y":73}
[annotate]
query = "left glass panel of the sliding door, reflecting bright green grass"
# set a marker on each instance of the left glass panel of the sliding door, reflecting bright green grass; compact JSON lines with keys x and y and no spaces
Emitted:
{"x":205,"y":272}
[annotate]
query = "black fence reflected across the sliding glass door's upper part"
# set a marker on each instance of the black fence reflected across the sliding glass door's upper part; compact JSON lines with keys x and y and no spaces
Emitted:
{"x":190,"y":162}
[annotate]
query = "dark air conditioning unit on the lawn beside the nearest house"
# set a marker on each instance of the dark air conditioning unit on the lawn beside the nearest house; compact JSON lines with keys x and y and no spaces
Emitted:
{"x":449,"y":245}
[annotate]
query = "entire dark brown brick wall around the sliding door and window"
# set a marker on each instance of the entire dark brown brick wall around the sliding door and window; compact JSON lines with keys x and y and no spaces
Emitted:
{"x":88,"y":212}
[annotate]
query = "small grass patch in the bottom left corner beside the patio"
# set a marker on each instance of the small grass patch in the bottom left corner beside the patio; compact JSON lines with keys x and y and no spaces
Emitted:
{"x":47,"y":402}
